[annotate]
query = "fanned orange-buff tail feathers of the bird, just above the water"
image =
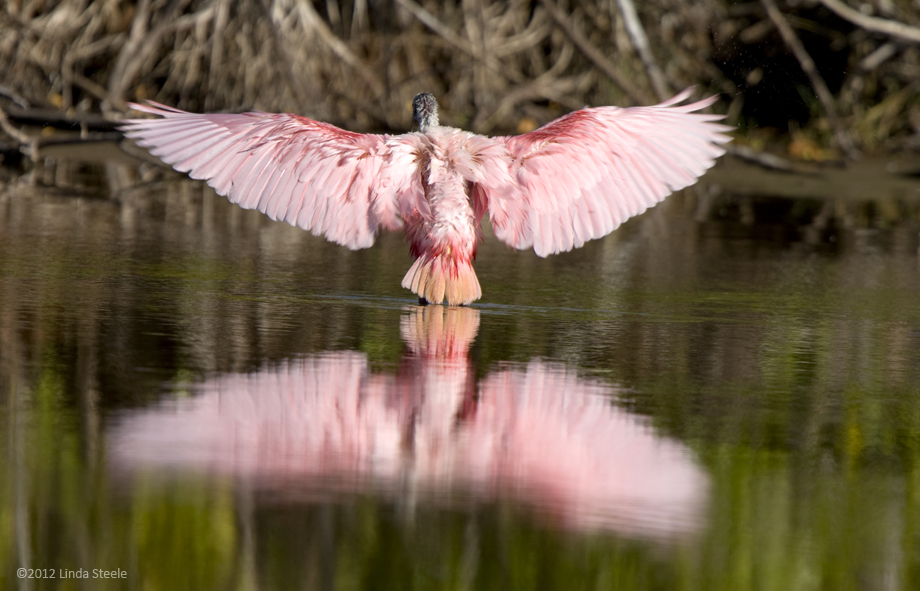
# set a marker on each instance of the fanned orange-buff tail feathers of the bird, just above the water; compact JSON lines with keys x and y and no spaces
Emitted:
{"x":438,"y":277}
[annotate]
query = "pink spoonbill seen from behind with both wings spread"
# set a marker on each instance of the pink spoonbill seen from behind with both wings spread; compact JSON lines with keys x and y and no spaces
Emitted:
{"x":575,"y":179}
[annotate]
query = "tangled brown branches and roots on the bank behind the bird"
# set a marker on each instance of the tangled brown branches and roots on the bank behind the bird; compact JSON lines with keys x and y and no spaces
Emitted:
{"x":494,"y":65}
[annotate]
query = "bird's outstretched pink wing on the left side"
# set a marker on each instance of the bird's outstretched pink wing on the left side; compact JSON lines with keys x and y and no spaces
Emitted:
{"x":333,"y":182}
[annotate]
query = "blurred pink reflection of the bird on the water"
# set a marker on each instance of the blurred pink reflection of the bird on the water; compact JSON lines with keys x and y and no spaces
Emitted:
{"x":537,"y":434}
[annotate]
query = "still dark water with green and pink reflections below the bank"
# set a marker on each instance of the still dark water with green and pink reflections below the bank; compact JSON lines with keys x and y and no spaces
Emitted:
{"x":723,"y":394}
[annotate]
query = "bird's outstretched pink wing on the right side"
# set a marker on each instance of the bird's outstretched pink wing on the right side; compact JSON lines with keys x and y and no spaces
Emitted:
{"x":584,"y":174}
